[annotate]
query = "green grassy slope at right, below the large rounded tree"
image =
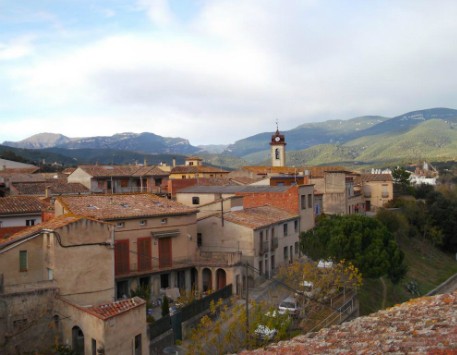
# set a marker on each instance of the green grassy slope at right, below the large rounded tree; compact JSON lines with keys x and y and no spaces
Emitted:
{"x":427,"y":266}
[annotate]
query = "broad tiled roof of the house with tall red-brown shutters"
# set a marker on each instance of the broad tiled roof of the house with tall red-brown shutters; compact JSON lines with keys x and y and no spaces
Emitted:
{"x":118,"y":206}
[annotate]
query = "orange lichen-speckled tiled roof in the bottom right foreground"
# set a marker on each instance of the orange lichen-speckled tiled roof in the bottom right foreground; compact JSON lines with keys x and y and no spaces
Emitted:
{"x":426,"y":325}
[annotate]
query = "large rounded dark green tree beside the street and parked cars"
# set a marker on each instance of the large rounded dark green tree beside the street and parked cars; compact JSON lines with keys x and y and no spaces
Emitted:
{"x":362,"y":240}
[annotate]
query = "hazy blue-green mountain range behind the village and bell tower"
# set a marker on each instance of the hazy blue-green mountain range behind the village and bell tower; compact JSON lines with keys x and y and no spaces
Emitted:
{"x":429,"y":134}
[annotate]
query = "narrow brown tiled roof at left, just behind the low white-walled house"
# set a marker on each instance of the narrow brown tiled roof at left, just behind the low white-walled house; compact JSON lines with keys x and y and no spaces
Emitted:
{"x":55,"y":188}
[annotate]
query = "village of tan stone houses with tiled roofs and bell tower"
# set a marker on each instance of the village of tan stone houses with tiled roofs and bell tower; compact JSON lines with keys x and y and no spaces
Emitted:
{"x":75,"y":246}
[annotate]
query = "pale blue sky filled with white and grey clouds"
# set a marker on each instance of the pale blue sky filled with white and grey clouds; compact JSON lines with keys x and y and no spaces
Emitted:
{"x":216,"y":71}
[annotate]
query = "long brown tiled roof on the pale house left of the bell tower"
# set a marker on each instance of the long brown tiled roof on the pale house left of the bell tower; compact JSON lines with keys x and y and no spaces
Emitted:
{"x":122,"y":170}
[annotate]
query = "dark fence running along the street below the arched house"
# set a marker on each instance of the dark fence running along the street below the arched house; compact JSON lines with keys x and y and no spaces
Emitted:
{"x":193,"y":309}
